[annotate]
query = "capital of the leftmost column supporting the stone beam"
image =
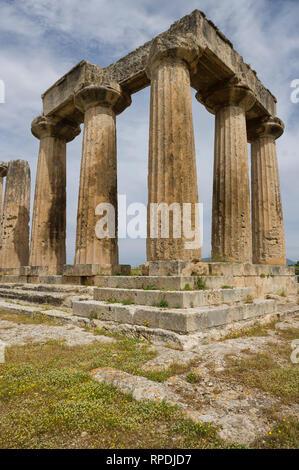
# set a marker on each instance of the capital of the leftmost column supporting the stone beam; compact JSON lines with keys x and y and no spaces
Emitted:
{"x":44,"y":126}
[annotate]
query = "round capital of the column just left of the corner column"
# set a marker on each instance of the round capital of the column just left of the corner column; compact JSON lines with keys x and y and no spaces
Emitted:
{"x":107,"y":95}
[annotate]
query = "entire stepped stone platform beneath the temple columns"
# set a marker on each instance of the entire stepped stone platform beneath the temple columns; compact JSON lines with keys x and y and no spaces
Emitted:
{"x":177,"y":303}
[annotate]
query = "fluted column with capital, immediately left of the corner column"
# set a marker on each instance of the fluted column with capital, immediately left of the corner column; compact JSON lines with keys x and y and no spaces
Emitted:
{"x":98,"y":177}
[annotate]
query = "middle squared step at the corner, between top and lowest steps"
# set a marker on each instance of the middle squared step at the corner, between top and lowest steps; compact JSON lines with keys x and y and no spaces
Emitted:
{"x":173,"y":299}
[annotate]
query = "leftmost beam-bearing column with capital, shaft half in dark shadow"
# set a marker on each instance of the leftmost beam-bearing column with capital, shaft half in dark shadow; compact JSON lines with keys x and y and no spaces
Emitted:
{"x":49,"y":211}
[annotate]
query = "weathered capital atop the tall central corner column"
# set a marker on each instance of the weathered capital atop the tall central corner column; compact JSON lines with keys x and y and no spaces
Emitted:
{"x":172,"y":48}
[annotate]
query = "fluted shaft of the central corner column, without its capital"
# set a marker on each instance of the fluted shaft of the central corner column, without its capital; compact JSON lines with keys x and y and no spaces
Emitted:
{"x":172,"y":174}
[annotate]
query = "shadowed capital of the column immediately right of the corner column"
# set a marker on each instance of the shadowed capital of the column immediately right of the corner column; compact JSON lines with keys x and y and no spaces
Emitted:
{"x":232,"y":92}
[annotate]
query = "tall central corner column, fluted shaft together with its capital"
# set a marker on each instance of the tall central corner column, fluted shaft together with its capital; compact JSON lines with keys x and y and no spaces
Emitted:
{"x":172,"y":177}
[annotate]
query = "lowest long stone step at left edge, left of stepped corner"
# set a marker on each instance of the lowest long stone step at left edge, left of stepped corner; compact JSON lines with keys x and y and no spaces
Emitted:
{"x":33,"y":296}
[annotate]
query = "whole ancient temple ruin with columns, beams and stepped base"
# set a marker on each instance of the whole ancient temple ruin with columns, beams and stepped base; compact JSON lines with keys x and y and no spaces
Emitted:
{"x":248,"y":246}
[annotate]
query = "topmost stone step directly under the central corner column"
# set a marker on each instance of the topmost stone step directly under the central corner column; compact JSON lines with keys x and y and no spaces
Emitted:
{"x":164,"y":282}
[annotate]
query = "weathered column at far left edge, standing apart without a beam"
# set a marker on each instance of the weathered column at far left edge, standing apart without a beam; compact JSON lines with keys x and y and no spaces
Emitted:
{"x":16,"y":214}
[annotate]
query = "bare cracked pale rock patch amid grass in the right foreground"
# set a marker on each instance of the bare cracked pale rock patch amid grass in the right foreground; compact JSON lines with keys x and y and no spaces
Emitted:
{"x":237,"y":409}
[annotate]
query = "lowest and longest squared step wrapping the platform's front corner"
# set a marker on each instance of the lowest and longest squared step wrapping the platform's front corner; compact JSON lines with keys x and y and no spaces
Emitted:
{"x":182,"y":321}
